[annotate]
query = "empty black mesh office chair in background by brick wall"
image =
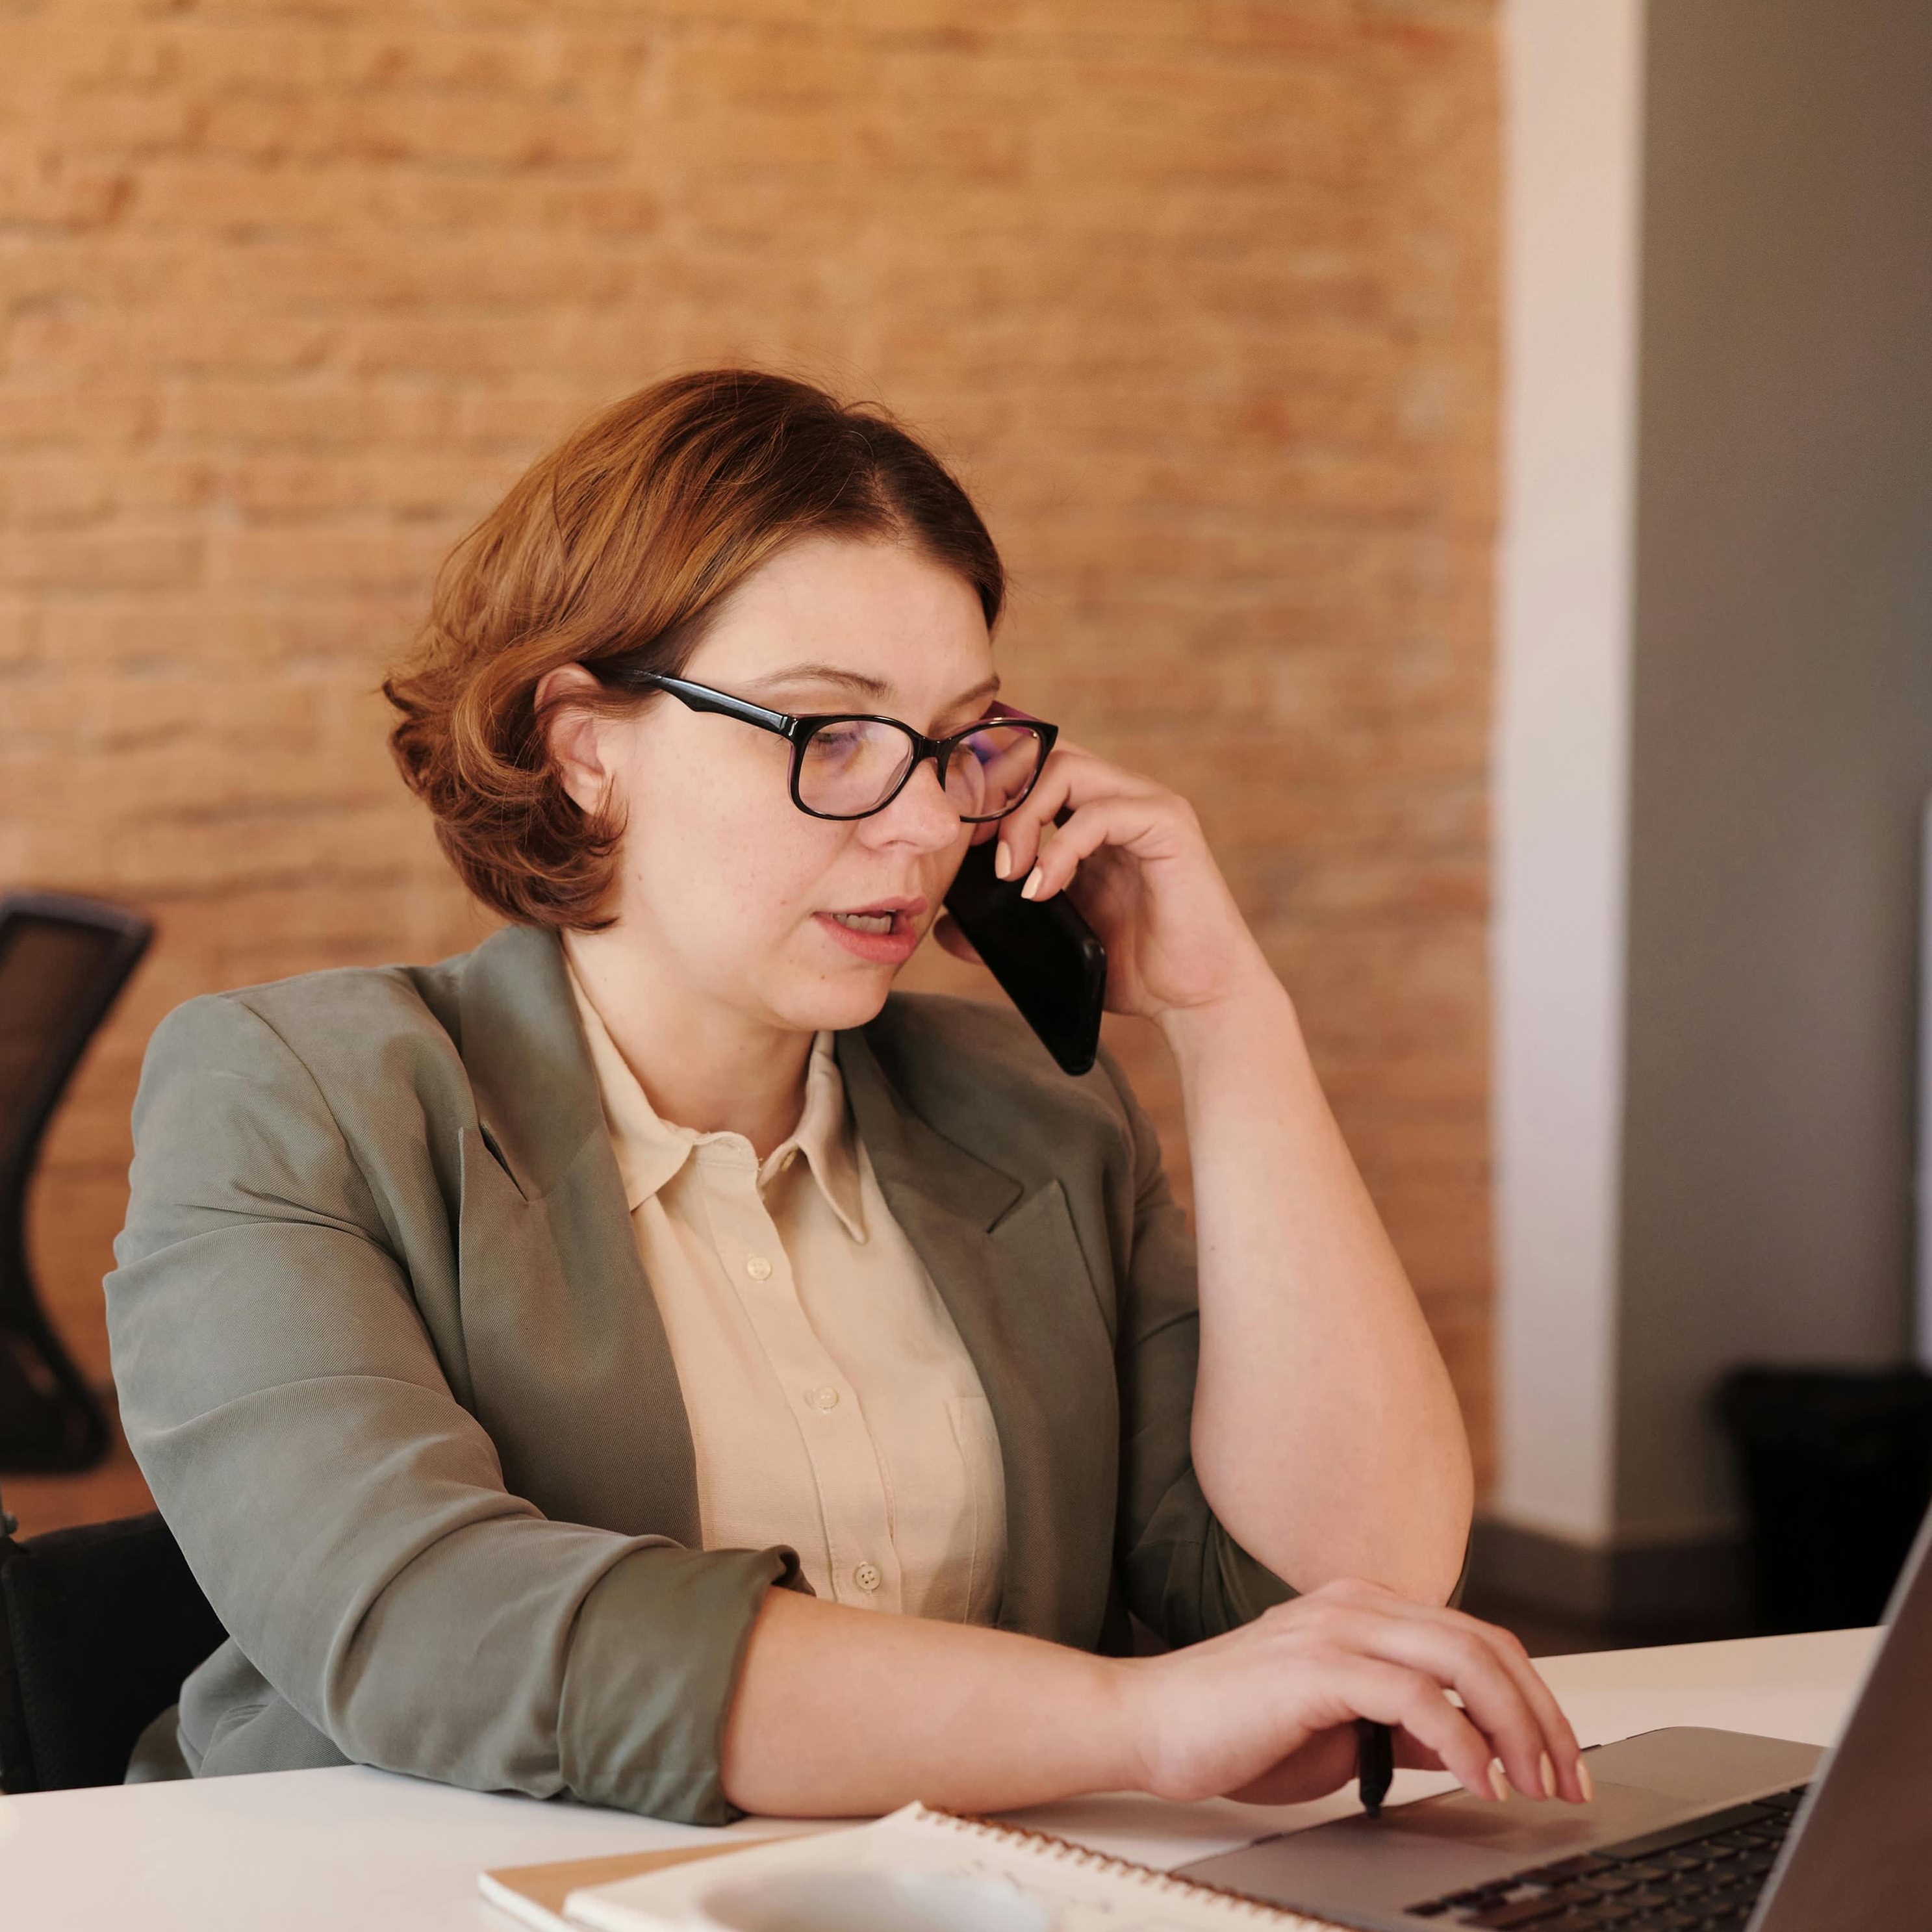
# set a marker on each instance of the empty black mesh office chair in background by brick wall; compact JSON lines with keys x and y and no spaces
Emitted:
{"x":63,"y":965}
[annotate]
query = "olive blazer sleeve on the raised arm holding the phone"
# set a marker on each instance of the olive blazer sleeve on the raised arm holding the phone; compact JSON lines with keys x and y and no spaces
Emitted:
{"x":1179,"y":1570}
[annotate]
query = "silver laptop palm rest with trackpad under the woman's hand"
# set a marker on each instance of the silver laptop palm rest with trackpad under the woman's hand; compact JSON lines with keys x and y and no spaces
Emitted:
{"x":1448,"y":1844}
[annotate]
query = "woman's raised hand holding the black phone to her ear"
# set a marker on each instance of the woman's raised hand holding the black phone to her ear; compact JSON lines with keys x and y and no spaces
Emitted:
{"x":1133,"y":859}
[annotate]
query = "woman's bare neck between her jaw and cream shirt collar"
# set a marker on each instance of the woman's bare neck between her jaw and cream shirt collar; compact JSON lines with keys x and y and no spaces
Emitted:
{"x":700,"y":1065}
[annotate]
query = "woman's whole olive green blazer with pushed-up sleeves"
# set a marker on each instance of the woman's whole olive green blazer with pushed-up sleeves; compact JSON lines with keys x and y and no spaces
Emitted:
{"x":389,"y":1361}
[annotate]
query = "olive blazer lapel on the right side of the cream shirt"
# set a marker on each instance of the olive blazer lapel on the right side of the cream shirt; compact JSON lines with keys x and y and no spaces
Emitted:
{"x":1013,"y":1278}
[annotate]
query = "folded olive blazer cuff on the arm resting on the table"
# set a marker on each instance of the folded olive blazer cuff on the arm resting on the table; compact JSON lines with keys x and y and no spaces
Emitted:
{"x":652,"y":1672}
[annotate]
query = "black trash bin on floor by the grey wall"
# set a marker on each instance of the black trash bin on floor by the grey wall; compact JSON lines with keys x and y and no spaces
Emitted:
{"x":1838,"y":1473}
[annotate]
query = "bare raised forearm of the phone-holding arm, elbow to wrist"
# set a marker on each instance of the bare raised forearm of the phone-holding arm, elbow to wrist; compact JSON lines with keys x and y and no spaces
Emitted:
{"x":1326,"y":1433}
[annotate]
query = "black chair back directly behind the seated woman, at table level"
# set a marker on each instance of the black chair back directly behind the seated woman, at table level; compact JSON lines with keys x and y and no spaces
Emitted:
{"x":98,"y":1630}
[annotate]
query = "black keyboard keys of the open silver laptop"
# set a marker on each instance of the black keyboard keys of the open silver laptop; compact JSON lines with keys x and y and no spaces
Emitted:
{"x":1701,"y":1875}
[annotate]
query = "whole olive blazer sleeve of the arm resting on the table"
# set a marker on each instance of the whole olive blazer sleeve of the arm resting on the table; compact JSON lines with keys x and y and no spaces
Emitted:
{"x":343,"y":1512}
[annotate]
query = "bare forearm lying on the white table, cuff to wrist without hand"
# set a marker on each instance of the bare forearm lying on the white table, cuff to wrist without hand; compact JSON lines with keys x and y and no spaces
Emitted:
{"x":849,"y":1713}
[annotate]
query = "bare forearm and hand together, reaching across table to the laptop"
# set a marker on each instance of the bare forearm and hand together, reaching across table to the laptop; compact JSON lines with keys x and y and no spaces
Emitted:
{"x":847,"y":1713}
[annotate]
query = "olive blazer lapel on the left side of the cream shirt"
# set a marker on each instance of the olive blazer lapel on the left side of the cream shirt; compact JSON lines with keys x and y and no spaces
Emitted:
{"x":569,"y":1359}
